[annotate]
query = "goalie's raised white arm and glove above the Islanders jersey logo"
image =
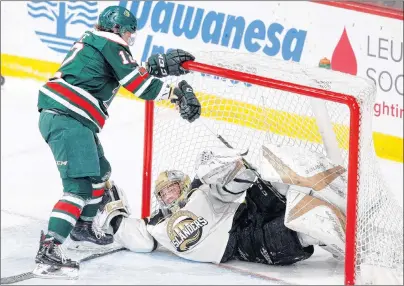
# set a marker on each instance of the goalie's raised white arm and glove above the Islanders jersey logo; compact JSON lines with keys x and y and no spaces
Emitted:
{"x":225,"y":173}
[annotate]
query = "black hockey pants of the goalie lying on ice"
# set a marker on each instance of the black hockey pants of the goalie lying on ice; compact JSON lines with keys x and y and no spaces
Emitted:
{"x":259,"y":235}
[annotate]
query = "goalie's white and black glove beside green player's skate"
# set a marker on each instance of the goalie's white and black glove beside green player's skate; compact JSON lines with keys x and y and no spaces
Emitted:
{"x":114,"y":203}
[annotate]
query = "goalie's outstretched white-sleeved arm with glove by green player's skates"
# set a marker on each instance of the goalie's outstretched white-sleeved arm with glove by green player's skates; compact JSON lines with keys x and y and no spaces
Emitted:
{"x":114,"y":219}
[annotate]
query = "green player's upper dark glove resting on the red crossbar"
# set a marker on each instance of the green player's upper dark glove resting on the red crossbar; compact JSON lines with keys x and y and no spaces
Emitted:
{"x":162,"y":65}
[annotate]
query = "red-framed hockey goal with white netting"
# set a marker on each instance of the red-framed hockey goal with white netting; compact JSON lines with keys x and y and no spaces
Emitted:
{"x":250,"y":100}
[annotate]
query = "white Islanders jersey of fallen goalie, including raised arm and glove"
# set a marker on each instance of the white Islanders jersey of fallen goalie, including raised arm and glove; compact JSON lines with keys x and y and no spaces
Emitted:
{"x":198,"y":231}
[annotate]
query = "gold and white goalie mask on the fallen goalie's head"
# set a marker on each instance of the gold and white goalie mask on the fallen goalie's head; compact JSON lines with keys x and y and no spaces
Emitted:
{"x":170,"y":187}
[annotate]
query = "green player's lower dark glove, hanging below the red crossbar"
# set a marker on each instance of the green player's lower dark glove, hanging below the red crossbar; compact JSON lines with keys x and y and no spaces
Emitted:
{"x":184,"y":97}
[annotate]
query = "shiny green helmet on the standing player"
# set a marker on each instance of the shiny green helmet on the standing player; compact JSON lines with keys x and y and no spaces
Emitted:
{"x":118,"y":20}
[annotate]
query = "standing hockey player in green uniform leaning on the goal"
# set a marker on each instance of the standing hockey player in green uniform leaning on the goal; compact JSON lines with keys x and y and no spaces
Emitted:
{"x":73,"y":108}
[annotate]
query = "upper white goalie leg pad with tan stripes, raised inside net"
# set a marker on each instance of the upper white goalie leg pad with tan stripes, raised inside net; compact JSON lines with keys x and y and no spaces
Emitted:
{"x":293,"y":166}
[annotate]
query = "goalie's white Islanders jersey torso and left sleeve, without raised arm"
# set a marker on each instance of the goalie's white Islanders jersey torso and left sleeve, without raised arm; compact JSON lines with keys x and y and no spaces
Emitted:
{"x":203,"y":219}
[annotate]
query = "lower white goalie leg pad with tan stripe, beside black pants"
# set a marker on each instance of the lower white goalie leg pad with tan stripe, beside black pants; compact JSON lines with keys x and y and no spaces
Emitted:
{"x":317,"y":219}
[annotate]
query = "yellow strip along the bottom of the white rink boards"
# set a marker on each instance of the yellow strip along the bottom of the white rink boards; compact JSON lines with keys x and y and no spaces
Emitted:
{"x":245,"y":114}
